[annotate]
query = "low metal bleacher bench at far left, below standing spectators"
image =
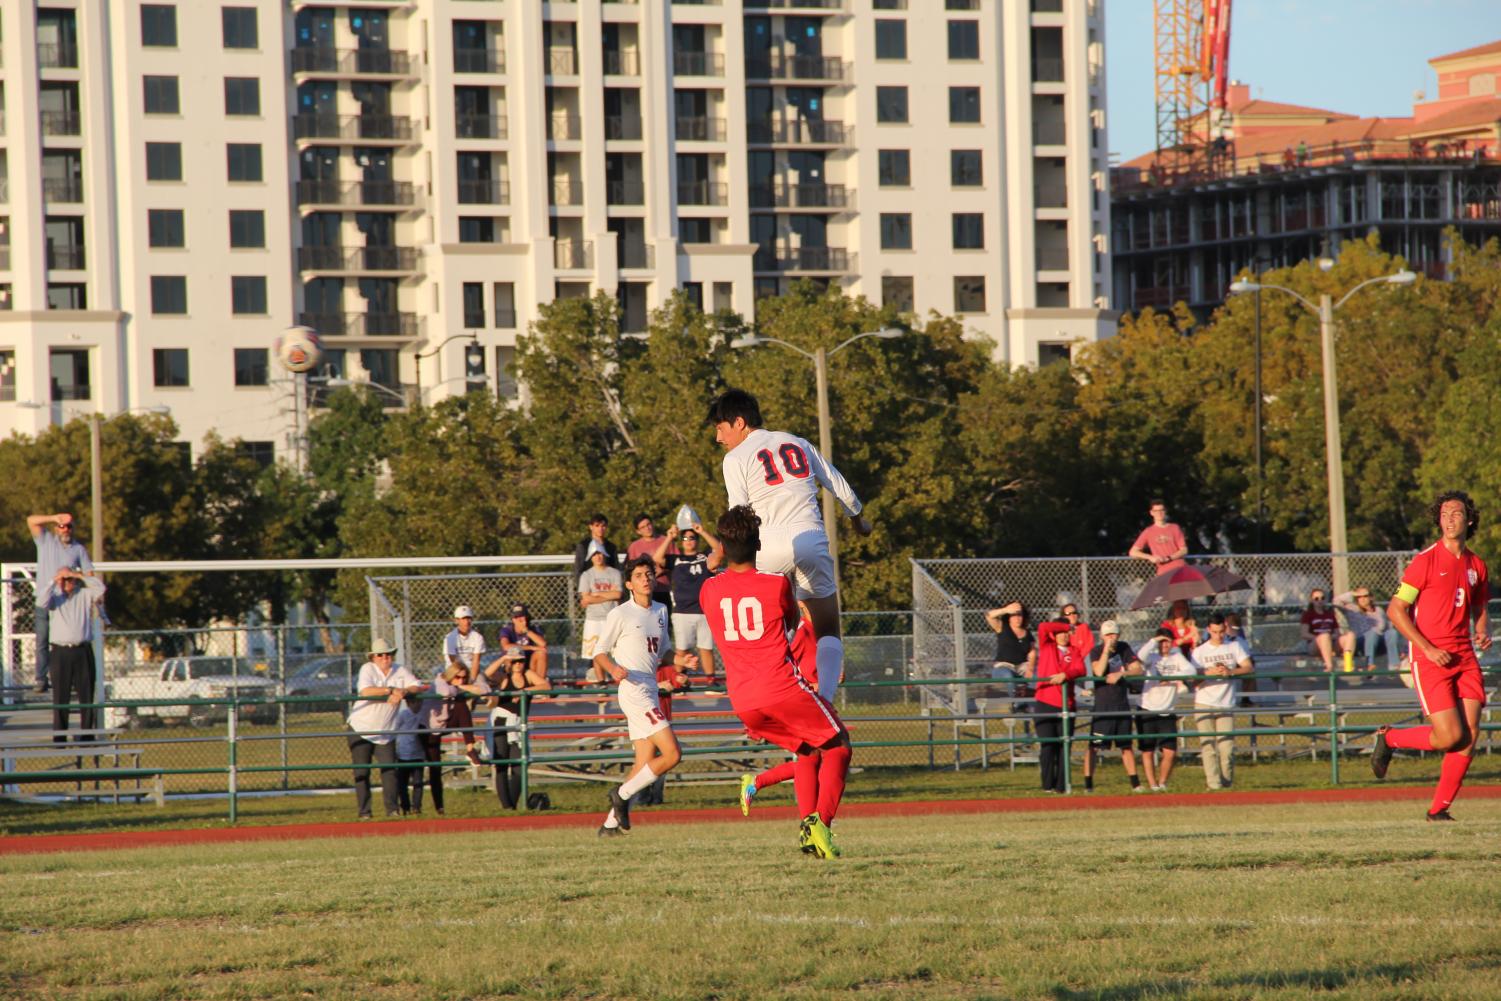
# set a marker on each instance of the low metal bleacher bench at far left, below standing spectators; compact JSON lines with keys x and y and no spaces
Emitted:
{"x":25,"y":753}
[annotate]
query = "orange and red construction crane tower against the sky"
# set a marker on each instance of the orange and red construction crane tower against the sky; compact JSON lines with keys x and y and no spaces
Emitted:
{"x":1193,"y":82}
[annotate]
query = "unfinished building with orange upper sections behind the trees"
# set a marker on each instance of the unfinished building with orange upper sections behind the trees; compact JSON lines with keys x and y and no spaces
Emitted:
{"x":1278,"y":184}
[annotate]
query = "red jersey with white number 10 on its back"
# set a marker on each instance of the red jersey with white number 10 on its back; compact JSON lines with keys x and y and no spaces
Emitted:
{"x":750,"y":615}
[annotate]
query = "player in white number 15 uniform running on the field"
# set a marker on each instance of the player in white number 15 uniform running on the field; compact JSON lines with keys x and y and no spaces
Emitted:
{"x":631,"y":646}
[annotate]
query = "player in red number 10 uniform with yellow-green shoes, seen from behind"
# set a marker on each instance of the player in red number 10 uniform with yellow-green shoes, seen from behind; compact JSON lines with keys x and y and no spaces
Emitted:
{"x":751,"y":615}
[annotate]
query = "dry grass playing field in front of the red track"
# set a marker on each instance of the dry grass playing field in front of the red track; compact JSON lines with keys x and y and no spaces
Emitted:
{"x":1349,"y":901}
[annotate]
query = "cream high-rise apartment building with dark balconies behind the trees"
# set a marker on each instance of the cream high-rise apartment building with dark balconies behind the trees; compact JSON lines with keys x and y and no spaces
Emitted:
{"x":181,"y":182}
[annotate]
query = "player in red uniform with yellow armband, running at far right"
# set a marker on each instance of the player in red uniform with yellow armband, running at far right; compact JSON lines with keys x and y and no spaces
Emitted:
{"x":1443,"y":591}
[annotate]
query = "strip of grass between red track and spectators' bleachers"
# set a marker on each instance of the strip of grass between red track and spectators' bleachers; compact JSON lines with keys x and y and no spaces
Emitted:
{"x":870,"y":786}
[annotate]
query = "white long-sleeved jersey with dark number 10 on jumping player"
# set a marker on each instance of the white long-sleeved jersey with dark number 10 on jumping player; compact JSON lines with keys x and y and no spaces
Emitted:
{"x":778,"y":476}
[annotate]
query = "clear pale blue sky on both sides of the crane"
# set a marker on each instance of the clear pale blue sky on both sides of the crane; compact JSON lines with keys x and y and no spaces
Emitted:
{"x":1364,"y":58}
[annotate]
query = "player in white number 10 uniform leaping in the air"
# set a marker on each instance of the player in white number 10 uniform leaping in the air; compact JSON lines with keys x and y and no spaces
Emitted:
{"x":778,"y":475}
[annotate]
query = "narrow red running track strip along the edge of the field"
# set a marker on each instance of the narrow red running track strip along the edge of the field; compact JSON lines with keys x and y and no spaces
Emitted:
{"x":44,"y":844}
